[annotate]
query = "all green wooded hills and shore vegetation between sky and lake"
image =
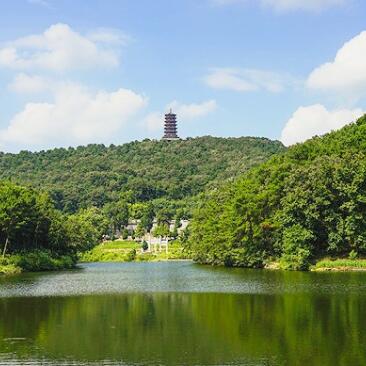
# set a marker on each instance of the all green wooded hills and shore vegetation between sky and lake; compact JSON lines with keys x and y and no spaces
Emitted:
{"x":303,"y":204}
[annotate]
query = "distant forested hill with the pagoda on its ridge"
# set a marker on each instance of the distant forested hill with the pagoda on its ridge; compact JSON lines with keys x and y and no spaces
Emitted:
{"x":94,"y":175}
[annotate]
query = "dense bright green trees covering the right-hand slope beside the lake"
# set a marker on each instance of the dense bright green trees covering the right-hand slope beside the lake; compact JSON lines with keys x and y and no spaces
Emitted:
{"x":305,"y":203}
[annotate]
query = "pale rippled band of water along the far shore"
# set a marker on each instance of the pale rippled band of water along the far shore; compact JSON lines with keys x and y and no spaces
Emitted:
{"x":113,"y":278}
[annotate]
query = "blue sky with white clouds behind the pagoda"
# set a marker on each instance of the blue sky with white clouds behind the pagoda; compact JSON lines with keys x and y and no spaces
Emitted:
{"x":74,"y":72}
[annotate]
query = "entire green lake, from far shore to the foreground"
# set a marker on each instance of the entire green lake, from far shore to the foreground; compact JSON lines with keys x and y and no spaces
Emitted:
{"x":179,"y":313}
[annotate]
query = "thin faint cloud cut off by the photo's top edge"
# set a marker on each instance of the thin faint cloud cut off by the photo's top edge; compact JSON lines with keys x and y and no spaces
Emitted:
{"x":287,"y":5}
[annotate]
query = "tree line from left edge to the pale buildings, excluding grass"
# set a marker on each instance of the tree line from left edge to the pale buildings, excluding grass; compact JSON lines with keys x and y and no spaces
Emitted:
{"x":30,"y":221}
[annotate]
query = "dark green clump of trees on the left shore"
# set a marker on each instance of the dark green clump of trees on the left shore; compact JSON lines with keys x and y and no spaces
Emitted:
{"x":29,"y":222}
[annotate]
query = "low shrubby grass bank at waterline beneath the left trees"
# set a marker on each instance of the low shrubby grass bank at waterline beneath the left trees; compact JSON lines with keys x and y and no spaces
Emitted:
{"x":35,"y":261}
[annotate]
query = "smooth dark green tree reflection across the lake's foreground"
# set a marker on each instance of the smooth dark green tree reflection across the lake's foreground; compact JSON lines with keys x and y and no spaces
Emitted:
{"x":193,"y":328}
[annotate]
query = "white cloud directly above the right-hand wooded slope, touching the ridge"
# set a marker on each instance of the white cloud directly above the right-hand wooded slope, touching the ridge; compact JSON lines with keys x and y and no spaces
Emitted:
{"x":313,"y":120}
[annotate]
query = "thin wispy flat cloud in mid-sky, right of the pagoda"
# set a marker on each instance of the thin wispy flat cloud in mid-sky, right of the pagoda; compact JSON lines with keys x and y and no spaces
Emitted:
{"x":247,"y":80}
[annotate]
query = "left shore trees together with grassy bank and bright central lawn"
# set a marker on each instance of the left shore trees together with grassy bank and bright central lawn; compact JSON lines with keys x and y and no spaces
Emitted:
{"x":36,"y":236}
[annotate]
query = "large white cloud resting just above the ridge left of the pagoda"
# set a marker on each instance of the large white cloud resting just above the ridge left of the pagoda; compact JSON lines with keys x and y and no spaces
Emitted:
{"x":75,"y":116}
